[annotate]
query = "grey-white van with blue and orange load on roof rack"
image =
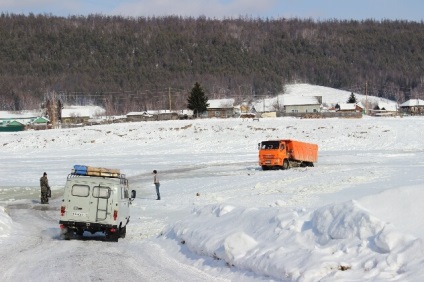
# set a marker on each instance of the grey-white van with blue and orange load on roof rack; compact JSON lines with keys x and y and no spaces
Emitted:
{"x":95,"y":200}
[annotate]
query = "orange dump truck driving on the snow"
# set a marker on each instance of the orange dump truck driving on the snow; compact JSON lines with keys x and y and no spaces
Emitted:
{"x":276,"y":154}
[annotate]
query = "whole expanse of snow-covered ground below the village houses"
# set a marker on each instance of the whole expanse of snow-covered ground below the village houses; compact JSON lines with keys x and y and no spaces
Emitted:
{"x":355,"y":216}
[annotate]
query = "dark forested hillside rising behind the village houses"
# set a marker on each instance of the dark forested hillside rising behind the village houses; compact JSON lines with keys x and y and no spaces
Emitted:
{"x":132,"y":64}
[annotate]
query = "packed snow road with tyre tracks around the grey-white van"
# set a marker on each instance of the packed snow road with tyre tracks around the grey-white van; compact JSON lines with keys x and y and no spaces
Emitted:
{"x":37,"y":253}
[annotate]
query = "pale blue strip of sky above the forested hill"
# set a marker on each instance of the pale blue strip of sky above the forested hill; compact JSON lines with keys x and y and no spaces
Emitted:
{"x":411,"y":10}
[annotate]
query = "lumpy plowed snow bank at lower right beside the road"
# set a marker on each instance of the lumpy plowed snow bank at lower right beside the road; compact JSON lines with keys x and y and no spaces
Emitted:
{"x":297,"y":244}
